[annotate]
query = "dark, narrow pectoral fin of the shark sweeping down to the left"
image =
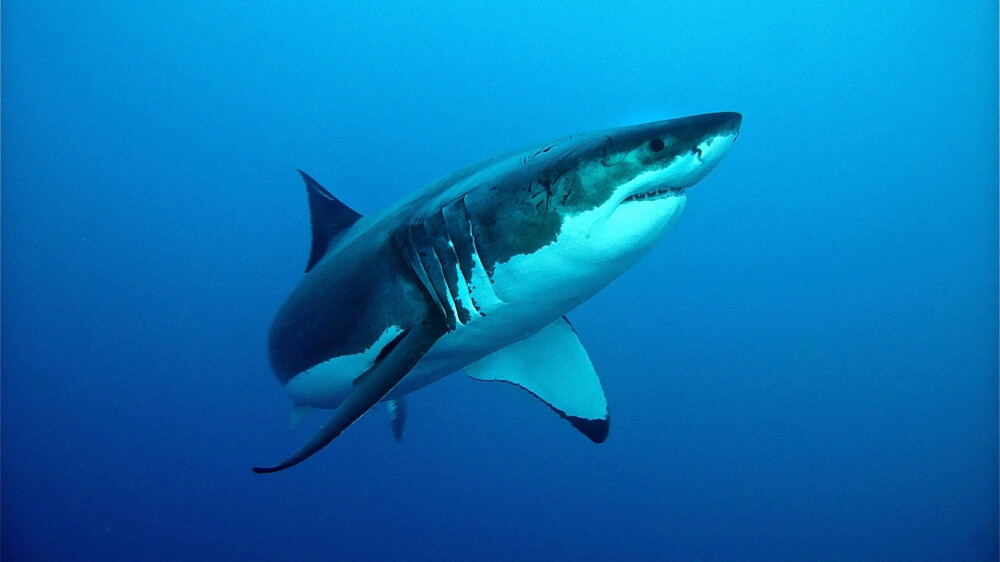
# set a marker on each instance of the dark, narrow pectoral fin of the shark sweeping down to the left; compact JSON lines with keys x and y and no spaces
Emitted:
{"x":394,"y":361}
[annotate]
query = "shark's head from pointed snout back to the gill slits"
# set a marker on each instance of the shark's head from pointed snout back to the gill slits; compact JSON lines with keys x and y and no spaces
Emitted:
{"x":579,"y":211}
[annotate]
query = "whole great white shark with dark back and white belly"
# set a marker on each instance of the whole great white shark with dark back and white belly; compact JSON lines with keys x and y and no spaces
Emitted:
{"x":477,"y":270}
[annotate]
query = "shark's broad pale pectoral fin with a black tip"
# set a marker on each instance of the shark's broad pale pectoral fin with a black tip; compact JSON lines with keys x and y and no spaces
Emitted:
{"x":553,"y":366}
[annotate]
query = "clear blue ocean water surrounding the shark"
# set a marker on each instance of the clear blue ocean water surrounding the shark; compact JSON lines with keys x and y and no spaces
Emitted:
{"x":806,"y":368}
